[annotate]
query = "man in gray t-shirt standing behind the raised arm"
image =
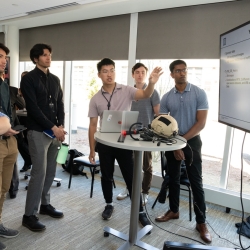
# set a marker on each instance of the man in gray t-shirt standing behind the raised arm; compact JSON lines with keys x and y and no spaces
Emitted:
{"x":147,"y":109}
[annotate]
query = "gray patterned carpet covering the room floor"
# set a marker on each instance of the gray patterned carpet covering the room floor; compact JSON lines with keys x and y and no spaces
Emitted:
{"x":82,"y":225}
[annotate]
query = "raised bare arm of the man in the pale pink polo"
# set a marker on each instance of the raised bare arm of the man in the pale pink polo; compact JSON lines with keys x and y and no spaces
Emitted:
{"x":153,"y":78}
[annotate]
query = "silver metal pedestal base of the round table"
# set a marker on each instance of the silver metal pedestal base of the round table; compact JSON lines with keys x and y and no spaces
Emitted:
{"x":125,"y":237}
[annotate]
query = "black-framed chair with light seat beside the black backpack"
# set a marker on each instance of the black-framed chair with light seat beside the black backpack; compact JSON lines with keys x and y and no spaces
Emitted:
{"x":83,"y":161}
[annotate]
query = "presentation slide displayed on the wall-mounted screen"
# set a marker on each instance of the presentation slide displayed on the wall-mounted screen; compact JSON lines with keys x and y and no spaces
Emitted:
{"x":234,"y":99}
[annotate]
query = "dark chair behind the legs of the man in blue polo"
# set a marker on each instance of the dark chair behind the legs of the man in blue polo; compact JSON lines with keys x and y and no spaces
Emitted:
{"x":161,"y":197}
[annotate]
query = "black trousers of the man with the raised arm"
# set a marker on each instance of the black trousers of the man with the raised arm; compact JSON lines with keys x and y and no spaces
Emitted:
{"x":125,"y":159}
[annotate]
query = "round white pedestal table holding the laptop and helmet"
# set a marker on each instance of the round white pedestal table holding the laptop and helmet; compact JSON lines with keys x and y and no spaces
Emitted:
{"x":111,"y":139}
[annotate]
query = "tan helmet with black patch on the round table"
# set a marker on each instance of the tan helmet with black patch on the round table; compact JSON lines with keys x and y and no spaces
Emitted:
{"x":165,"y":125}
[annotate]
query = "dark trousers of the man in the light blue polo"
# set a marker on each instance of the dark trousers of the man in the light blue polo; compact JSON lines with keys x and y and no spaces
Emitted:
{"x":194,"y":170}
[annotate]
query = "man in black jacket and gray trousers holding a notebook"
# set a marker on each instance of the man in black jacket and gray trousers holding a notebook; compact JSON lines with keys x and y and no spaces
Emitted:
{"x":45,"y":111}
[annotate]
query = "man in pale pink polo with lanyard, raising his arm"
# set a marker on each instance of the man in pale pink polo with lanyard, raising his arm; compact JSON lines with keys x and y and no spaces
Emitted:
{"x":114,"y":96}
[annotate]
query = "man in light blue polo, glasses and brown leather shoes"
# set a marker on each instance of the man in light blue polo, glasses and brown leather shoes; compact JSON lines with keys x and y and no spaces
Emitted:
{"x":188,"y":104}
